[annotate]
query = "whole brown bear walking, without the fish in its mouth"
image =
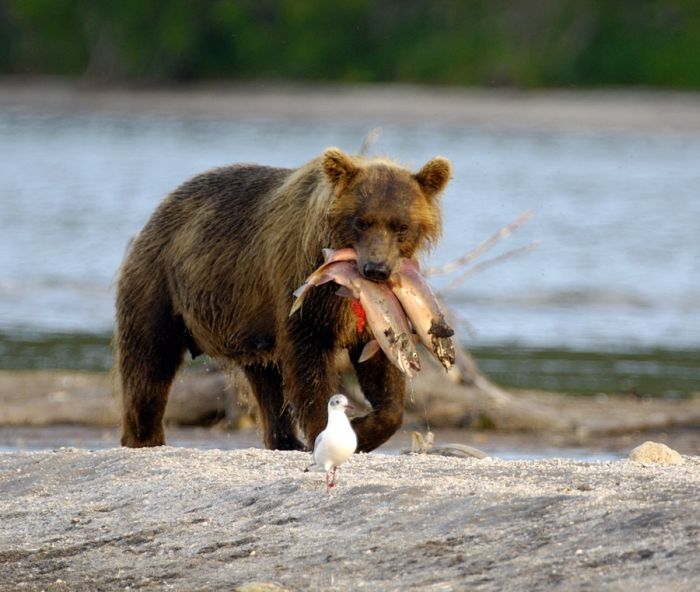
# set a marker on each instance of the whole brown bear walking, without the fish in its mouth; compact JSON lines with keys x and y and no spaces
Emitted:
{"x":214,"y":269}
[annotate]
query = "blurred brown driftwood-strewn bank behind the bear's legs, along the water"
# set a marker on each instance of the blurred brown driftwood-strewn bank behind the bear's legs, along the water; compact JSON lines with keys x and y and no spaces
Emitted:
{"x":435,"y":400}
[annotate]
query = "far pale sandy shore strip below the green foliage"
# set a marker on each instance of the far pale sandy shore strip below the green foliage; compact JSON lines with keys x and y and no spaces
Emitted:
{"x":371,"y":104}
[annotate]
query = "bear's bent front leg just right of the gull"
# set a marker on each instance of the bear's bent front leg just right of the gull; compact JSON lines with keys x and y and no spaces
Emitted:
{"x":384,"y":386}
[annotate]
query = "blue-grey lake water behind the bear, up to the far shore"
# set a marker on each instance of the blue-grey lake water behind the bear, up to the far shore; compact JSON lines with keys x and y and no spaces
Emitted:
{"x":617,"y":215}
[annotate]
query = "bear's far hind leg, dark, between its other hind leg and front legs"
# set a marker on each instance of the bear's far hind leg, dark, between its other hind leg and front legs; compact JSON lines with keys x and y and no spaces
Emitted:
{"x":277,"y":422}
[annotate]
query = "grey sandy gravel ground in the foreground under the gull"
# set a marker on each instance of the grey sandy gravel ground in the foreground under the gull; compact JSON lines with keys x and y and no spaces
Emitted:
{"x":185,"y":519}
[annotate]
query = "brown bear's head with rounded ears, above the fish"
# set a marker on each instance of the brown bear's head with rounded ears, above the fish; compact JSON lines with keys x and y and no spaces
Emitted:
{"x":383,"y":210}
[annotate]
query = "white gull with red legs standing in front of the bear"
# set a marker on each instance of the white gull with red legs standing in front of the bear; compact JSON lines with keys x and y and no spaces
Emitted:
{"x":335,"y":444}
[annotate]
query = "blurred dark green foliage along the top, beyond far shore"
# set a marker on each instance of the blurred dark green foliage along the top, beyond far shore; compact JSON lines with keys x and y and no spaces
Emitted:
{"x":517,"y":43}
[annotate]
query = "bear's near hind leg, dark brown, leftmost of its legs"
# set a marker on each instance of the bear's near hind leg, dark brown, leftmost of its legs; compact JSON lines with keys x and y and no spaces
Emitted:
{"x":150,"y":351}
